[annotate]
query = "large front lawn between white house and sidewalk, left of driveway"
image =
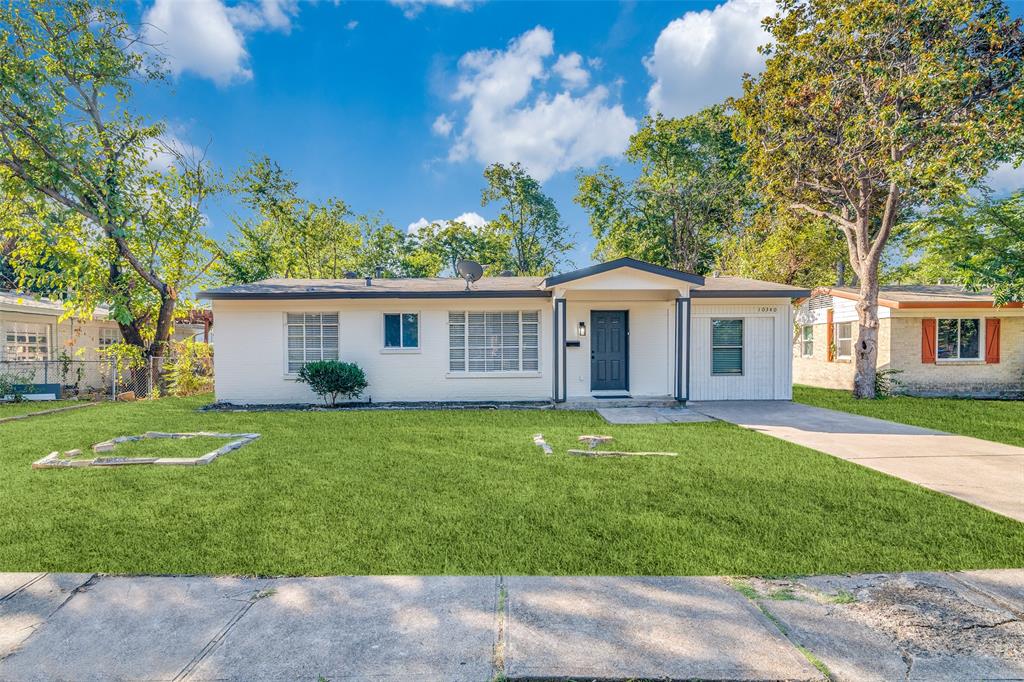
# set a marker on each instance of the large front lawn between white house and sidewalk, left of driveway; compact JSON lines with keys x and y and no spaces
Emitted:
{"x":466,"y":492}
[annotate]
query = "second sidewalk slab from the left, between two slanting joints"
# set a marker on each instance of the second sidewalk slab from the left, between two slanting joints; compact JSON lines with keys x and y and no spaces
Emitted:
{"x":131,"y":628}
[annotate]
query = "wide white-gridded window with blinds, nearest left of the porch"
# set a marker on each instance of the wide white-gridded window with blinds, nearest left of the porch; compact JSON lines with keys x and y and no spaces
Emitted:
{"x":494,"y":342}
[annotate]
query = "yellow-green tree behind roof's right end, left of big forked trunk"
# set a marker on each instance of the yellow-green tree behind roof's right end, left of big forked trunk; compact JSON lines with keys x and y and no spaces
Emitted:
{"x":782,"y":246}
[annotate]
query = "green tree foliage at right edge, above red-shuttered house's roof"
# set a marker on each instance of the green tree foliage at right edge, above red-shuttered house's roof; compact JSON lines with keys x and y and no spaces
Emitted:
{"x":975,"y":242}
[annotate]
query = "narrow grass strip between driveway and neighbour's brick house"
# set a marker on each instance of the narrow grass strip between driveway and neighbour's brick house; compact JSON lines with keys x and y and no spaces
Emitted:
{"x":993,"y":420}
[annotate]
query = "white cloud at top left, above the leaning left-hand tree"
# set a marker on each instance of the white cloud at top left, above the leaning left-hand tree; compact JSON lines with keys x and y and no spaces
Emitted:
{"x":207,"y":38}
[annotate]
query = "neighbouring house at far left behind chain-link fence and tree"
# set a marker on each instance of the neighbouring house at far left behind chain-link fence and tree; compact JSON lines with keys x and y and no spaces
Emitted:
{"x":34,"y":339}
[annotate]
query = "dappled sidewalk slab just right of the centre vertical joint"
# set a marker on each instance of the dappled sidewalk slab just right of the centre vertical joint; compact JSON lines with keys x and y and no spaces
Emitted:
{"x":647,"y":628}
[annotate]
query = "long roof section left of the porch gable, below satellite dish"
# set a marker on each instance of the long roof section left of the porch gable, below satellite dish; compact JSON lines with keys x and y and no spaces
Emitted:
{"x":382,"y":288}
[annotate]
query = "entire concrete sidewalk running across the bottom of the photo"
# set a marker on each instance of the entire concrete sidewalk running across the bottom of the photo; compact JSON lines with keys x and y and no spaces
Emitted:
{"x":917,"y":626}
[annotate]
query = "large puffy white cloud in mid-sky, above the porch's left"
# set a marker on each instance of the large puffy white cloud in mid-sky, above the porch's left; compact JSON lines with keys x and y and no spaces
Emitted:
{"x":513,"y":118}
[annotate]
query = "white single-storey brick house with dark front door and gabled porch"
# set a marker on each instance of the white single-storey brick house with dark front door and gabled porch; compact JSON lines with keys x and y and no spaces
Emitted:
{"x":620,"y":329}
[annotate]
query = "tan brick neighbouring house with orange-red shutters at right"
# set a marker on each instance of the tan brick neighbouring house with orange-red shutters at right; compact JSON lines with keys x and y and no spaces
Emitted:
{"x":944,"y":342}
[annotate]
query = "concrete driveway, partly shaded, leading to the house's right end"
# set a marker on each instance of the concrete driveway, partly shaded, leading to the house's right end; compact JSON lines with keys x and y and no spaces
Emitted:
{"x":985,"y":474}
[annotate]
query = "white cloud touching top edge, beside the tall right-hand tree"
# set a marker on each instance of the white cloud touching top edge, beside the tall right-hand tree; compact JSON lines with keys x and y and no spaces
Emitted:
{"x":699,"y":59}
